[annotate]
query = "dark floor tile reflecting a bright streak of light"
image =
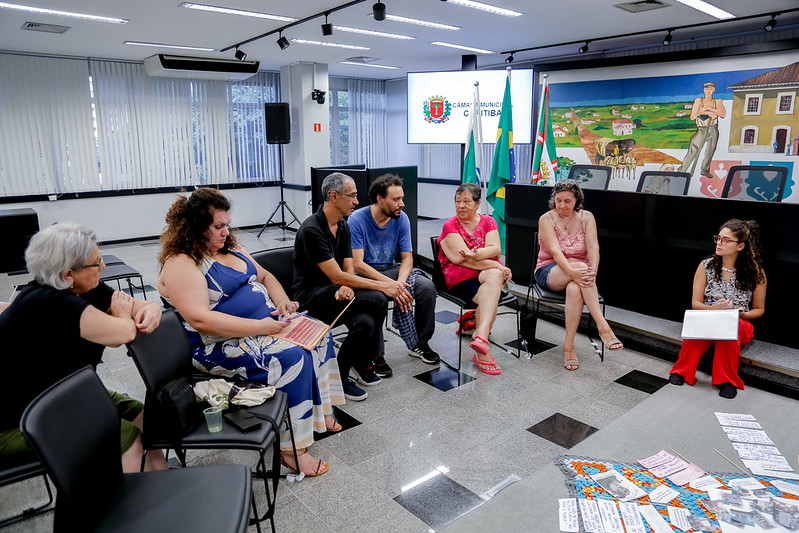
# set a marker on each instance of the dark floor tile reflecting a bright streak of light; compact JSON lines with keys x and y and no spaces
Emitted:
{"x":439,"y":501}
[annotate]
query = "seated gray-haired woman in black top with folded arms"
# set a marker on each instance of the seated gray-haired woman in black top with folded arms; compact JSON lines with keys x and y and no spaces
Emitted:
{"x":61,"y":322}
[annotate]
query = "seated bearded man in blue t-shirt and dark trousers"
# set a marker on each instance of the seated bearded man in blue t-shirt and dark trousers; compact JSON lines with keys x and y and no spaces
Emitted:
{"x":379,"y":231}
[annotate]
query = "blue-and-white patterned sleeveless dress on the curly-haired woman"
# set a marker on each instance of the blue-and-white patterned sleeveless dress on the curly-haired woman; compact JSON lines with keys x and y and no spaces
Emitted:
{"x":310,"y":379}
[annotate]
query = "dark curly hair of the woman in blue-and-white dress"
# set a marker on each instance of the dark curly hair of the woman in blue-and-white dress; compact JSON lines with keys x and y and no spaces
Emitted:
{"x":187,"y":220}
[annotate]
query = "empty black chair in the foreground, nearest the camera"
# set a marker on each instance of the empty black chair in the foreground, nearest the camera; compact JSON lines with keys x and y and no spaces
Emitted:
{"x":74,"y":428}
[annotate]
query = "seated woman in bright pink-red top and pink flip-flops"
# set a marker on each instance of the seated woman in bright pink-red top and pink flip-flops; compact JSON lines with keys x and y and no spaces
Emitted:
{"x":469,"y":253}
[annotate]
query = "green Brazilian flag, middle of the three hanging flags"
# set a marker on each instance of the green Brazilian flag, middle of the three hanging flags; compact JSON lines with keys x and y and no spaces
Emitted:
{"x":503,"y":169}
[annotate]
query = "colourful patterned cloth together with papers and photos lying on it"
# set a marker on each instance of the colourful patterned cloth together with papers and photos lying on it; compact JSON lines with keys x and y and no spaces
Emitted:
{"x":579,"y":472}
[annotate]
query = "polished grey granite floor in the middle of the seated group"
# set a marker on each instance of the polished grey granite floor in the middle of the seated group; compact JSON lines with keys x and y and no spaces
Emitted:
{"x":413,"y":457}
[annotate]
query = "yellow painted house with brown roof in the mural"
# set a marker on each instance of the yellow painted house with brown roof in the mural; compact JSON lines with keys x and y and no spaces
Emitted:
{"x":764,"y":113}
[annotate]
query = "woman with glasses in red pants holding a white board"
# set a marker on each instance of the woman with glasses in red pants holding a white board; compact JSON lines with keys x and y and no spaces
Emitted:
{"x":732,"y":278}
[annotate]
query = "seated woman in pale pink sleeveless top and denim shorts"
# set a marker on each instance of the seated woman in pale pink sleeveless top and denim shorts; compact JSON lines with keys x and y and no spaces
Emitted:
{"x":568,"y":260}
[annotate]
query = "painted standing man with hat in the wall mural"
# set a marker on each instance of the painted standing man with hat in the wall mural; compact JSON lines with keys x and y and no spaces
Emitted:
{"x":706,"y":111}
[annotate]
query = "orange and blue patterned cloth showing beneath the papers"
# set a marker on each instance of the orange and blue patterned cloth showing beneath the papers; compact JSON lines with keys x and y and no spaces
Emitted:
{"x":578,"y":472}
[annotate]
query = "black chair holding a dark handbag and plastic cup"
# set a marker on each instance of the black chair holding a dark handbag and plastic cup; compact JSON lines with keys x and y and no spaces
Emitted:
{"x":165,"y":355}
